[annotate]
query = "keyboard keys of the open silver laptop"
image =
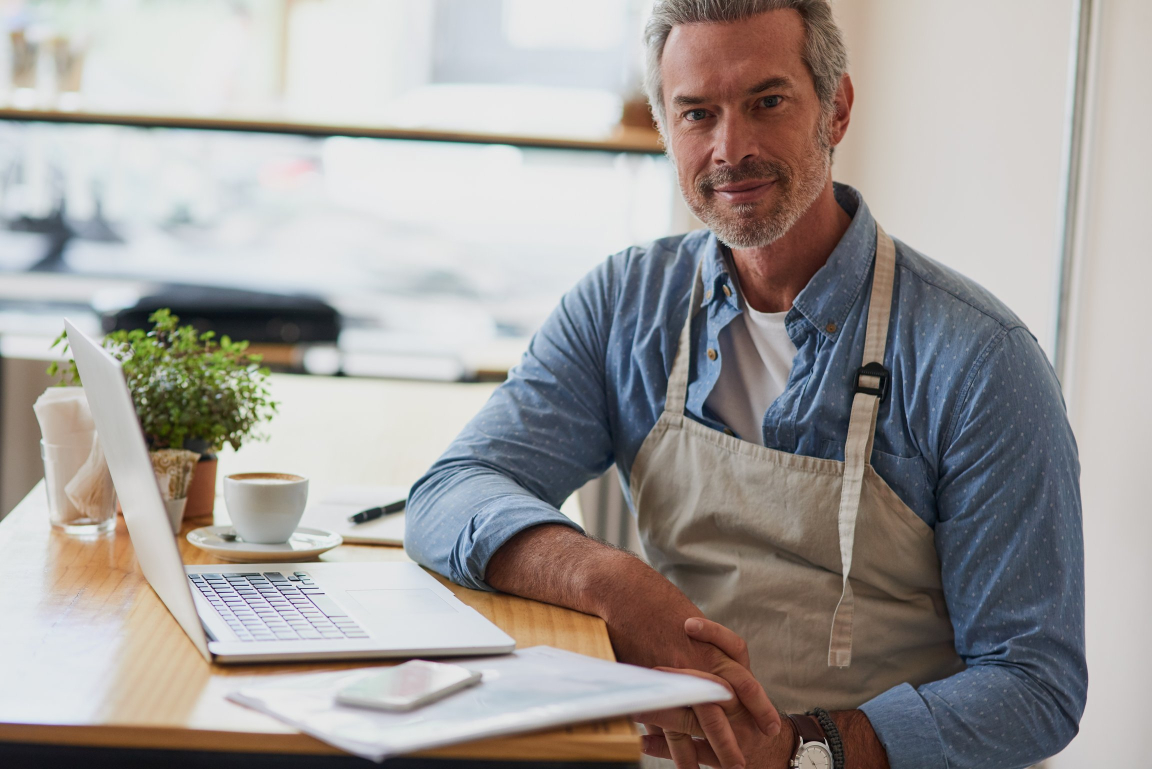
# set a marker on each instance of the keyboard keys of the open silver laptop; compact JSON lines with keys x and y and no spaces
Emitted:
{"x":276,"y":607}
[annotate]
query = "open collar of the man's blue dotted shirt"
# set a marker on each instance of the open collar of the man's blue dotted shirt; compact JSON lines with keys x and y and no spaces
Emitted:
{"x":828,"y":299}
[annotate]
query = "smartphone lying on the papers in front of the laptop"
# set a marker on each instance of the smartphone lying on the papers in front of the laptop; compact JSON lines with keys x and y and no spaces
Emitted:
{"x":407,"y":687}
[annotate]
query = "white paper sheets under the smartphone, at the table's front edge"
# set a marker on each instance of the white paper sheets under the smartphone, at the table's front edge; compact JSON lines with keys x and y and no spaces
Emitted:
{"x":533,"y":689}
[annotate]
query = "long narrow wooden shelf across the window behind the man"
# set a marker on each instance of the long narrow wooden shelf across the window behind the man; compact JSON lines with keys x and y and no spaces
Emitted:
{"x":623,"y":139}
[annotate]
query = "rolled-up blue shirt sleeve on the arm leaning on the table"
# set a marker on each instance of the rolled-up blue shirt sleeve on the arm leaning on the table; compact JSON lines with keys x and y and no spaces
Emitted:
{"x":543,"y":435}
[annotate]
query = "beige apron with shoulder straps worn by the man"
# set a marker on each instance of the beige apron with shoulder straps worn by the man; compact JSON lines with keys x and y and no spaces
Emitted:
{"x":817,"y":565}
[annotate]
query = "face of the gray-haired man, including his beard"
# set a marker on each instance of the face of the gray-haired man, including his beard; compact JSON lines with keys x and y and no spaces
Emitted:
{"x":748,"y":134}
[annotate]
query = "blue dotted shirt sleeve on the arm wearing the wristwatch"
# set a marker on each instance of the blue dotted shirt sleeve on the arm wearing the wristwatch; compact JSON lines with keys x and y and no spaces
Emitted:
{"x":1010,"y":538}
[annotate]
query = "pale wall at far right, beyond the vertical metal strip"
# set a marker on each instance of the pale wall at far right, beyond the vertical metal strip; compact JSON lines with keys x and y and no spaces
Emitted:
{"x":1111,"y":389}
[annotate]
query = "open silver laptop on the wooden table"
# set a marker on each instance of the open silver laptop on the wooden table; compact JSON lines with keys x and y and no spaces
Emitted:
{"x":271,"y":612}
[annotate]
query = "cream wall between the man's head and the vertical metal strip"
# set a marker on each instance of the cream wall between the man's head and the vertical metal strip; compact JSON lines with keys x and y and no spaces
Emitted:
{"x":957,"y":135}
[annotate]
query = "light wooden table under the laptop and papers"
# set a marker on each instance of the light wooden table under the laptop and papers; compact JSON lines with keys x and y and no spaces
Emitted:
{"x":90,"y":657}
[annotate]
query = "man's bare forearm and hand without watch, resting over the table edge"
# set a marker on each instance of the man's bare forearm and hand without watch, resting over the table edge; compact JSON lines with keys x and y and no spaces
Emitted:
{"x":646,"y":615}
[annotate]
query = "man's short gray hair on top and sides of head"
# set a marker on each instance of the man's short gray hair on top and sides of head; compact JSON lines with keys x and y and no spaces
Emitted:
{"x":824,"y":52}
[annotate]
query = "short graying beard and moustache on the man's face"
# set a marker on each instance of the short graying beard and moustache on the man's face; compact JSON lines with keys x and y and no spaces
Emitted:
{"x":740,"y":226}
